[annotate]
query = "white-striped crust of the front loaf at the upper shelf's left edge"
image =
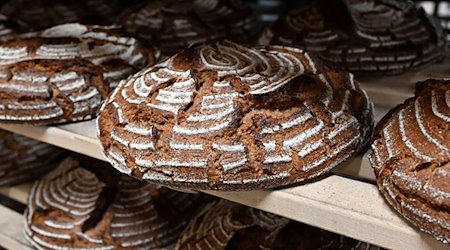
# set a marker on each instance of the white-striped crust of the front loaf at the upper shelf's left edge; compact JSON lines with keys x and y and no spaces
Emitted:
{"x":38,"y":105}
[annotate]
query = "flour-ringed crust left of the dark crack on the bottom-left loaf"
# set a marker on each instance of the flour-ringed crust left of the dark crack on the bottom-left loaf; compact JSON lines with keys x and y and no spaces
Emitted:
{"x":73,"y":192}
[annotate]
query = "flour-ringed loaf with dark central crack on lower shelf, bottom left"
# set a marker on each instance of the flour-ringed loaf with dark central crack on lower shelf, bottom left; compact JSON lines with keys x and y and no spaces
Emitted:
{"x":75,"y":208}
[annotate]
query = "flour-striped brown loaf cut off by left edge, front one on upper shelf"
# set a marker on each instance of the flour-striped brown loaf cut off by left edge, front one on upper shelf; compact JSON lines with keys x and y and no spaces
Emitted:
{"x":51,"y":91}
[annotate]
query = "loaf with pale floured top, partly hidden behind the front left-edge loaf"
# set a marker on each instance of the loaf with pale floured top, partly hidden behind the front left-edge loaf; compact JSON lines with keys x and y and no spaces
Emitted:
{"x":118,"y":55}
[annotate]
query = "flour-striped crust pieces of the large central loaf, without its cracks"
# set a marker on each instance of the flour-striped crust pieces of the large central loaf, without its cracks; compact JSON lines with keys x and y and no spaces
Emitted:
{"x":216,"y":111}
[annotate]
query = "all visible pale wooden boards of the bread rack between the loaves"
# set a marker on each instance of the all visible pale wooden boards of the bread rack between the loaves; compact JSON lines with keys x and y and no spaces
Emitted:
{"x":346,"y":201}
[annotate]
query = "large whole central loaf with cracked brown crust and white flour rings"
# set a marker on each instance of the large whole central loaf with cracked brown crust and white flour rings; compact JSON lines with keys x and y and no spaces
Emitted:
{"x":223,"y":116}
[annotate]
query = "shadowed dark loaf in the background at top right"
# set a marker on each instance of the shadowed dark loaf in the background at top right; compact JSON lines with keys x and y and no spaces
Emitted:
{"x":370,"y":36}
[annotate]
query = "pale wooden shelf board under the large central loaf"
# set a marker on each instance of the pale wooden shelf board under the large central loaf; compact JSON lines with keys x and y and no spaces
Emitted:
{"x":346,"y":202}
